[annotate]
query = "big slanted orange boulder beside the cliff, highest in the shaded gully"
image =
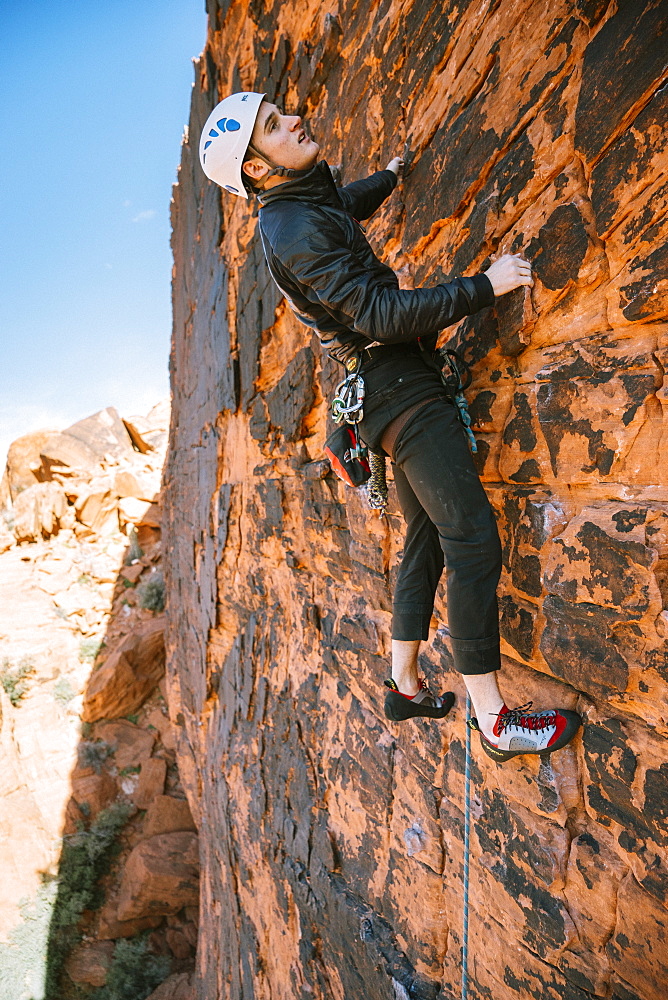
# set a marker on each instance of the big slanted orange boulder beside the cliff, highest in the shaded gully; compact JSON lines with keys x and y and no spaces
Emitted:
{"x":128,"y":675}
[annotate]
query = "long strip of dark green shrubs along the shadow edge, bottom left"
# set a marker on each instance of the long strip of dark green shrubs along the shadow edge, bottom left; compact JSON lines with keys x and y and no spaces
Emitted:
{"x":85,"y":858}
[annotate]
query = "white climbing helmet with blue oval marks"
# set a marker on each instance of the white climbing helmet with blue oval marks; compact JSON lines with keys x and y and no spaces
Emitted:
{"x":225,"y":138}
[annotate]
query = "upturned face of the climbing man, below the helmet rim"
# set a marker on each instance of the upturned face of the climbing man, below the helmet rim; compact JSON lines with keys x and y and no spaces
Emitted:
{"x":283,"y":140}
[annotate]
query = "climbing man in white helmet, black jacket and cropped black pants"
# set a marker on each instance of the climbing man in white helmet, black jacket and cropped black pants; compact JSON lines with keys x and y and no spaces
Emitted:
{"x":320,"y":259}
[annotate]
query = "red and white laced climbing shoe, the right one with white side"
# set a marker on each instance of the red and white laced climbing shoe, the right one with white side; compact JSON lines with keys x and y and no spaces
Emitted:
{"x":518,"y":731}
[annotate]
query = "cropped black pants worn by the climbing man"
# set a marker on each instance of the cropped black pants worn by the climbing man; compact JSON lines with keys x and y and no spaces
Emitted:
{"x":450,"y":522}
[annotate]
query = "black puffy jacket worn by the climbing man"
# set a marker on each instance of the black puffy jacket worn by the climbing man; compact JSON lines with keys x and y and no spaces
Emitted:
{"x":322,"y":262}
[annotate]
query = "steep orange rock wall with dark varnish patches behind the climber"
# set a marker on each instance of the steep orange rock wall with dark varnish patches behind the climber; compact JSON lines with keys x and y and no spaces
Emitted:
{"x":331,"y":841}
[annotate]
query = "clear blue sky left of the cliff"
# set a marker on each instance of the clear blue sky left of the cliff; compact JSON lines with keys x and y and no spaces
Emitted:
{"x":93,"y":101}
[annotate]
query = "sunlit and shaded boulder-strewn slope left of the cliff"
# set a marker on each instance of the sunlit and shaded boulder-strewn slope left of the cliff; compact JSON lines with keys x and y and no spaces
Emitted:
{"x":87,"y":747}
